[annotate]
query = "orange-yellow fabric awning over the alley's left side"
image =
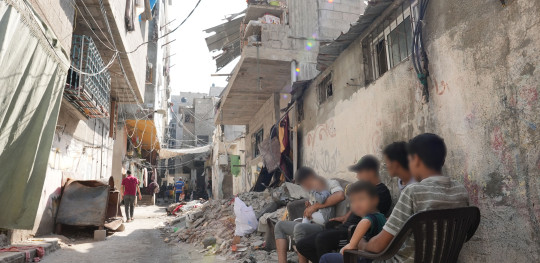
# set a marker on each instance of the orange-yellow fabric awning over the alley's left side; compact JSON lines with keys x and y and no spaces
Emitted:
{"x":143,"y":133}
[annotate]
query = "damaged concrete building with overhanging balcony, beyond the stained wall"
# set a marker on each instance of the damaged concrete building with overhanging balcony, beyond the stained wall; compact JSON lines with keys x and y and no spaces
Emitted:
{"x":278,"y":46}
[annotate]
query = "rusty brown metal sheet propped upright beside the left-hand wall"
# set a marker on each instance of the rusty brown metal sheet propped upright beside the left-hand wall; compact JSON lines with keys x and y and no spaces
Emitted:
{"x":84,"y":203}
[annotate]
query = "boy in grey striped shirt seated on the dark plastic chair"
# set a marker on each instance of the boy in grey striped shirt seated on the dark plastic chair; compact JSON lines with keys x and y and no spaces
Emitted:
{"x":427,"y":153}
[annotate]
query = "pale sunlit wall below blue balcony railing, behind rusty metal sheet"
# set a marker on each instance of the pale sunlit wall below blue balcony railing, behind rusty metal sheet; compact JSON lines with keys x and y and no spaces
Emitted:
{"x":81,"y":150}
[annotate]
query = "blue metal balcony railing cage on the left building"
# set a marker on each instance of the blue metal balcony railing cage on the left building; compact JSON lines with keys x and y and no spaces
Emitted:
{"x":89,"y":93}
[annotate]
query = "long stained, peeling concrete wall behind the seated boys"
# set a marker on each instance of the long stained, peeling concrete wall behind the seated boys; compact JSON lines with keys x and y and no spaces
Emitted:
{"x":484,"y":102}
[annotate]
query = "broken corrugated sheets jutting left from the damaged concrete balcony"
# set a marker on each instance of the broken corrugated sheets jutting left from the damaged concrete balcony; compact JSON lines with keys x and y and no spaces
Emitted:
{"x":226,"y":39}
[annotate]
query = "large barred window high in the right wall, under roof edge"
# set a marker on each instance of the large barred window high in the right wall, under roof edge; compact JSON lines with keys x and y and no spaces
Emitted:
{"x":390,"y":43}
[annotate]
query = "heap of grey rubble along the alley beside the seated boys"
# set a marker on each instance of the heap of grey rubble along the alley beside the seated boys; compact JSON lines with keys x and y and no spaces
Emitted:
{"x":211,"y":224}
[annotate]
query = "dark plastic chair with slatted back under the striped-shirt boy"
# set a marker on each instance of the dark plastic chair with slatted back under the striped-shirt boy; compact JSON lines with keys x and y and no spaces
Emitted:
{"x":439,"y":236}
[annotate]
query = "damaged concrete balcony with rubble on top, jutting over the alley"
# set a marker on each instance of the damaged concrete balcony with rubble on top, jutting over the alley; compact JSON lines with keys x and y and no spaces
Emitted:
{"x":264,"y":67}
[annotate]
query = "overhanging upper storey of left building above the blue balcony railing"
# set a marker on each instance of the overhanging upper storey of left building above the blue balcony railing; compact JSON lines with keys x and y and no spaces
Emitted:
{"x":111,"y":15}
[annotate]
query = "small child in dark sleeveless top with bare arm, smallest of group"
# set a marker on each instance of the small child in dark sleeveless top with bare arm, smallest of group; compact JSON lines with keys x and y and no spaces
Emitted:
{"x":363,"y":201}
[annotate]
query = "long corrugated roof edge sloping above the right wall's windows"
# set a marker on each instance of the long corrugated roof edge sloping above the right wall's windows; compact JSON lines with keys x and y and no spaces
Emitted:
{"x":330,"y":52}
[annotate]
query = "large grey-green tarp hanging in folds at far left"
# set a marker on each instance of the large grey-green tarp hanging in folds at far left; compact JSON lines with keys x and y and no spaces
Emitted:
{"x":31,"y":84}
